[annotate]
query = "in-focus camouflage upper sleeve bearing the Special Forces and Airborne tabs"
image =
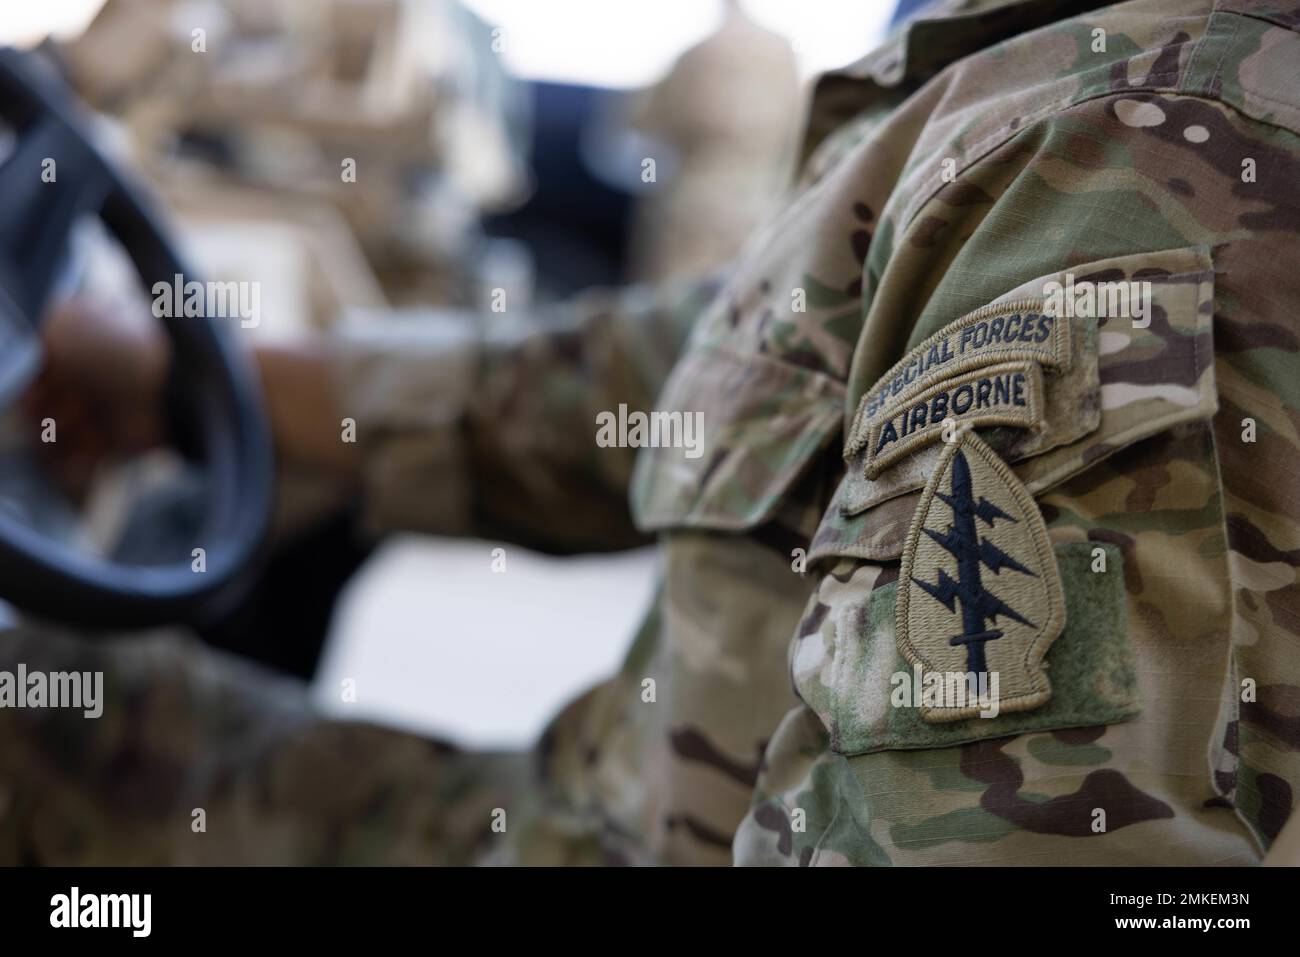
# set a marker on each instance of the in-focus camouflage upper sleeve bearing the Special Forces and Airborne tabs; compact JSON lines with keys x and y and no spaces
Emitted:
{"x":1169,"y":484}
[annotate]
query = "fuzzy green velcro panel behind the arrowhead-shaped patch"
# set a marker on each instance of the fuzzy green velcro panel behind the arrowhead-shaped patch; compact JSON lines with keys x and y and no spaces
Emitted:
{"x":1091,"y":668}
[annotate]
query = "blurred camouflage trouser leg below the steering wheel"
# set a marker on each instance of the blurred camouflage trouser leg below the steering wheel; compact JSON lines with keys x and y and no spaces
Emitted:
{"x":185,"y":729}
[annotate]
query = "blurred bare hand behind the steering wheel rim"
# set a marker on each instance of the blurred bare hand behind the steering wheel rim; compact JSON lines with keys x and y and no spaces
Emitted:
{"x":101,"y":388}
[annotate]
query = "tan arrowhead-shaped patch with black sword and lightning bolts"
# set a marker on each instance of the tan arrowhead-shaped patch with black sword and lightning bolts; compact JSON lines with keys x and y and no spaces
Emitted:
{"x":980,"y":592}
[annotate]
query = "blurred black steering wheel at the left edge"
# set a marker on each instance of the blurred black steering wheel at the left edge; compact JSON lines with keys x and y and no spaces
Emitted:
{"x":213,"y":401}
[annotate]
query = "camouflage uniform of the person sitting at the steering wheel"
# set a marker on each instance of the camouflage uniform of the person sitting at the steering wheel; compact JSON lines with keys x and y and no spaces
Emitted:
{"x":1106,"y":508}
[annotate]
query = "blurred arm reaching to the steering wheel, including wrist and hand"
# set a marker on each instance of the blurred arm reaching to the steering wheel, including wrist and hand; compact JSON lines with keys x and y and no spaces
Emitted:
{"x":441,"y":427}
